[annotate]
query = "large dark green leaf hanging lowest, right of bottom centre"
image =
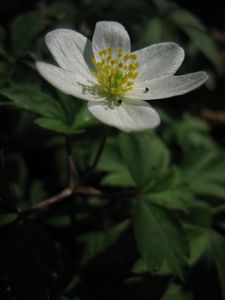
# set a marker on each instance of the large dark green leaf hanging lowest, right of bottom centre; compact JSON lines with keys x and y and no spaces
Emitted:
{"x":160,"y":237}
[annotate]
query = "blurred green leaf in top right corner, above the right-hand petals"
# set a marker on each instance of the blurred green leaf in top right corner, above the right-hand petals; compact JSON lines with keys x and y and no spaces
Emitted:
{"x":183,"y":18}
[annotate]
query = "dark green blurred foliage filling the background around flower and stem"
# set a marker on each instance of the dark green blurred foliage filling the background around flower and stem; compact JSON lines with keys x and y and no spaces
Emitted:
{"x":157,"y":231}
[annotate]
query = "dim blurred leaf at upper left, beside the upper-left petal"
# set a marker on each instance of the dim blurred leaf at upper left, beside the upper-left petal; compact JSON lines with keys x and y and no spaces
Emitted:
{"x":24,"y":30}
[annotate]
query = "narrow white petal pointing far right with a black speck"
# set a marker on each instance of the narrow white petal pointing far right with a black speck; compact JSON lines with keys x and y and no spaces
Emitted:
{"x":167,"y":86}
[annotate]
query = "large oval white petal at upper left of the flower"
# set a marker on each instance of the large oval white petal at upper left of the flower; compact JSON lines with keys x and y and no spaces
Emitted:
{"x":71,"y":50}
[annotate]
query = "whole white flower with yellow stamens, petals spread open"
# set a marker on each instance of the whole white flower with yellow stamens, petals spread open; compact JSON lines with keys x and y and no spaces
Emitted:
{"x":114,"y":80}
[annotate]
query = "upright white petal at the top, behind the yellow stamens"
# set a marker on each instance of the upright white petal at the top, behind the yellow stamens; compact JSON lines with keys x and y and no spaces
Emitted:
{"x":110,"y":34}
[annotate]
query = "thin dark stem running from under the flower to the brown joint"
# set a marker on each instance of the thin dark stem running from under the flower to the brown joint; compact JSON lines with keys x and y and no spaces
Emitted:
{"x":98,"y":154}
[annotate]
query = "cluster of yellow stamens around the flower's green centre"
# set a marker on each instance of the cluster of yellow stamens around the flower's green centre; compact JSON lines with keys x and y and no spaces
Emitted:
{"x":115,"y":73}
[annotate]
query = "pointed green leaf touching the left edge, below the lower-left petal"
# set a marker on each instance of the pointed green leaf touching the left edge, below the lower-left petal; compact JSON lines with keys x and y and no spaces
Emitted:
{"x":33,"y":100}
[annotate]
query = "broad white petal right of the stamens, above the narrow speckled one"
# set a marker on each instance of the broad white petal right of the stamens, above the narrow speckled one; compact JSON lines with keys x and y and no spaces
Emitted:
{"x":159,"y":59}
